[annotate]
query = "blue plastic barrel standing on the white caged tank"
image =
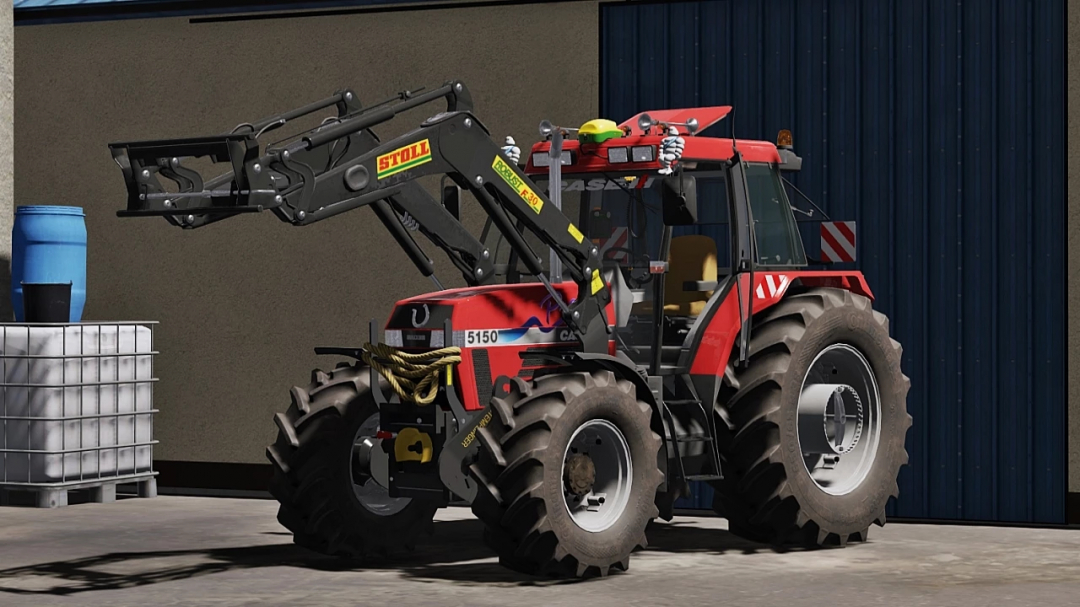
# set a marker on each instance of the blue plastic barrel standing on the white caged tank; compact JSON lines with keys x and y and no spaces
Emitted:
{"x":49,"y":246}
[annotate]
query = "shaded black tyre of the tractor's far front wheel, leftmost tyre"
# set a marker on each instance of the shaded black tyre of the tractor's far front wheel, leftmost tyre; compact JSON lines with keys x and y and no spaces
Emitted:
{"x":323,"y":505}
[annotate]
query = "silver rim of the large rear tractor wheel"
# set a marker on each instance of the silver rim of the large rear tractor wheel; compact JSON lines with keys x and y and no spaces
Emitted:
{"x":840,"y":420}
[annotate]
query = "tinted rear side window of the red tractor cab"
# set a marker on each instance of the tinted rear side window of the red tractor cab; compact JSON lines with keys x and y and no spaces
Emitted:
{"x":776,"y":232}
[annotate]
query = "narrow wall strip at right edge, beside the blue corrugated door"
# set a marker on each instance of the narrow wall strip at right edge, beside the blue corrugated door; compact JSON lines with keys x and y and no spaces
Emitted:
{"x":1074,"y":247}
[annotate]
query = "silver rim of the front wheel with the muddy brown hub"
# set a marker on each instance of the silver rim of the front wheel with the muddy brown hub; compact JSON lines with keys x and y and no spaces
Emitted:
{"x":605,"y":503}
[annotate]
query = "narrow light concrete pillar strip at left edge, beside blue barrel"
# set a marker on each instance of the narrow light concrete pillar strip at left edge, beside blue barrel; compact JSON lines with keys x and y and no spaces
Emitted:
{"x":7,"y":144}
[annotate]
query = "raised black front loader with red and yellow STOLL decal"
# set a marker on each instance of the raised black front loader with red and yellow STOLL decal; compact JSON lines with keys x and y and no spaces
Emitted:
{"x":342,"y":166}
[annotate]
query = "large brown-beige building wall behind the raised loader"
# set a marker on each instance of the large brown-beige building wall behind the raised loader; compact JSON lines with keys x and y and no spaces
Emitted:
{"x":244,"y":302}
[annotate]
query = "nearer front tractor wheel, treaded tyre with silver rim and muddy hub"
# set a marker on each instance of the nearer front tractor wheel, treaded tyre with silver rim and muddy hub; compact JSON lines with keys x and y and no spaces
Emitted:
{"x":569,"y":476}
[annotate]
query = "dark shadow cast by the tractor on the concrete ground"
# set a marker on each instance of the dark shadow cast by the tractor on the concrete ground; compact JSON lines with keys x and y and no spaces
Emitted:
{"x":455,"y":555}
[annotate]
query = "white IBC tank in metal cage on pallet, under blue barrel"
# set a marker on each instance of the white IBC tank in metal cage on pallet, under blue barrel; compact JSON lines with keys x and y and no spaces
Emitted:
{"x":77,"y":409}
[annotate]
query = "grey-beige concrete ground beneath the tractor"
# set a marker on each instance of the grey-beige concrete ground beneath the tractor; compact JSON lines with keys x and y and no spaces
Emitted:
{"x":214,"y":551}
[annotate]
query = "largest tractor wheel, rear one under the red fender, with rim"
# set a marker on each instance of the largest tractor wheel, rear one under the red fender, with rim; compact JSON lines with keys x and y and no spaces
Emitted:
{"x":781,"y":487}
